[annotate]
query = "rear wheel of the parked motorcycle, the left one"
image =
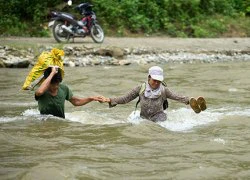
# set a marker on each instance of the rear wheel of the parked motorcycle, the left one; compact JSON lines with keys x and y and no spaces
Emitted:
{"x":59,"y":34}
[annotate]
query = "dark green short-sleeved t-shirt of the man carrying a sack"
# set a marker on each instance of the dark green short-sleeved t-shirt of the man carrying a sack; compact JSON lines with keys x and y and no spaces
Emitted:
{"x":54,"y":105}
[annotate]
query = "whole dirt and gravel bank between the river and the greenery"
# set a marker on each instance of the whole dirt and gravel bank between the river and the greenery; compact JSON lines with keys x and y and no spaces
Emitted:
{"x":125,"y":51}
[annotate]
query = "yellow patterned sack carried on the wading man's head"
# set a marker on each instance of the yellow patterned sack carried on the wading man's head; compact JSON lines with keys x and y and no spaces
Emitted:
{"x":46,"y":59}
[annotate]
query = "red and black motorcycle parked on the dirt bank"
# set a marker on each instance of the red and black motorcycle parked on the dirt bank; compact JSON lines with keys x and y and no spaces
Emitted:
{"x":64,"y":25}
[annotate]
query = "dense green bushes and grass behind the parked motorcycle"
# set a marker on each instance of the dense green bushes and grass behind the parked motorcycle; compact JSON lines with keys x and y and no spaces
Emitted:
{"x":174,"y":18}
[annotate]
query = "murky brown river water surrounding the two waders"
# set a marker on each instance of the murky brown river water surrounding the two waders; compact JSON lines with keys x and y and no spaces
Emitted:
{"x":97,"y":142}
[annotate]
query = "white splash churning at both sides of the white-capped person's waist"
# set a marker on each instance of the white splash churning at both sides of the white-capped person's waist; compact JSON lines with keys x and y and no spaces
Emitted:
{"x":183,"y":119}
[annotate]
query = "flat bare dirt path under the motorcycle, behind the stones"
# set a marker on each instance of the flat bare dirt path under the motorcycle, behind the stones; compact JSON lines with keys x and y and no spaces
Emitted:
{"x":163,"y":43}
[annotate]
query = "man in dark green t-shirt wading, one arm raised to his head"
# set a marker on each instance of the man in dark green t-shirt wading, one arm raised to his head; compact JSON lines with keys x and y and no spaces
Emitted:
{"x":51,"y":94}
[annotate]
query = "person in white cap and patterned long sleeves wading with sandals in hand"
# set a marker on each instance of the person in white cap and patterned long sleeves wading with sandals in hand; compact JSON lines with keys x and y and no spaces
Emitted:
{"x":153,"y":97}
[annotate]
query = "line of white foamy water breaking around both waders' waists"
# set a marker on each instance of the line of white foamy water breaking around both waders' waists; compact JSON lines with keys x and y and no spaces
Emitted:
{"x":180,"y":120}
